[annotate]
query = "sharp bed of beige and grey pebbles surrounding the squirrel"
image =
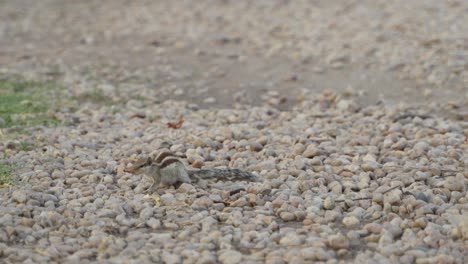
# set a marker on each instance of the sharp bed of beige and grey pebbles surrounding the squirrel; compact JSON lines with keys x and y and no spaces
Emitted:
{"x":373,"y":184}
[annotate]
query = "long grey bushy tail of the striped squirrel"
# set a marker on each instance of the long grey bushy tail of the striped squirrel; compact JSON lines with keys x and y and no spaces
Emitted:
{"x":225,"y":174}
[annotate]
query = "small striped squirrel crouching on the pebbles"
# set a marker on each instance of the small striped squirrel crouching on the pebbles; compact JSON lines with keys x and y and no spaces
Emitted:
{"x":169,"y":169}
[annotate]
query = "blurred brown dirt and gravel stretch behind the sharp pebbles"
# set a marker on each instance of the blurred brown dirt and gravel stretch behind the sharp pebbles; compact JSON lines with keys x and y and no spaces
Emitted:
{"x":216,"y":52}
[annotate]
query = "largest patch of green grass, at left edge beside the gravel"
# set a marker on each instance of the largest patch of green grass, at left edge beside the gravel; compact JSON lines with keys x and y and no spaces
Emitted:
{"x":24,"y":103}
